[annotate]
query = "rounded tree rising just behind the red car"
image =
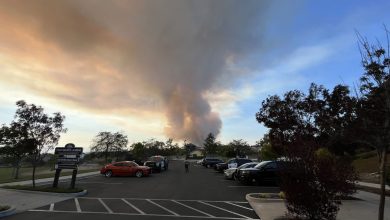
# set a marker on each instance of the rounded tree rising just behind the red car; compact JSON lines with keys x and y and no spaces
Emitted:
{"x":106,"y":142}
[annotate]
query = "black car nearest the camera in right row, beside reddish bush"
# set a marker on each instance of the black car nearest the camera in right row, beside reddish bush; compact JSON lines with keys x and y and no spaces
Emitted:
{"x":266,"y":172}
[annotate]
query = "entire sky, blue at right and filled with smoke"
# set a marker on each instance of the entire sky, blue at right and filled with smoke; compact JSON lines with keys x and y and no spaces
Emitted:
{"x":175,"y":68}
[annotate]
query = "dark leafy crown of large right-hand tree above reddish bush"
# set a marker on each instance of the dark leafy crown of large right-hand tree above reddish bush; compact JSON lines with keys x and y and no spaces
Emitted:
{"x":321,"y":116}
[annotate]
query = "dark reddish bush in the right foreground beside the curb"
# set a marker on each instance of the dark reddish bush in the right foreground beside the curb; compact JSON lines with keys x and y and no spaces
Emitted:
{"x":314,"y":182}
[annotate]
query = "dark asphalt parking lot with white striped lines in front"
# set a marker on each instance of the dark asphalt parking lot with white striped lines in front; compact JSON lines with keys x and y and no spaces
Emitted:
{"x":201,"y":193}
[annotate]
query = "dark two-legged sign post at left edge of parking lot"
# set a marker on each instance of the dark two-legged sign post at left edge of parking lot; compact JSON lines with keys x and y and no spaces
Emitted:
{"x":68,"y":158}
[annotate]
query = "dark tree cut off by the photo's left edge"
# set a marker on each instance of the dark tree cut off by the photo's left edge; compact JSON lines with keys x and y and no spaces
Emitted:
{"x":15,"y":145}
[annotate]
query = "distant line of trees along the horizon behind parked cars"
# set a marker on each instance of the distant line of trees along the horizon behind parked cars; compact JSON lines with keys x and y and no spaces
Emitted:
{"x":111,"y":146}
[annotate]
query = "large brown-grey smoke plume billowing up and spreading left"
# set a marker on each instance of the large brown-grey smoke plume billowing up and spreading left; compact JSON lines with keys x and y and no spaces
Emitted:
{"x":145,"y":55}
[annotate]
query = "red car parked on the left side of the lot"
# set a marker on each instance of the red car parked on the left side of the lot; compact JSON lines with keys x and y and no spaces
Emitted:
{"x":125,"y":168}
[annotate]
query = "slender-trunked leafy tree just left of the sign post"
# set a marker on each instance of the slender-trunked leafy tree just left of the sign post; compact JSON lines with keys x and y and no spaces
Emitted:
{"x":41,"y":131}
